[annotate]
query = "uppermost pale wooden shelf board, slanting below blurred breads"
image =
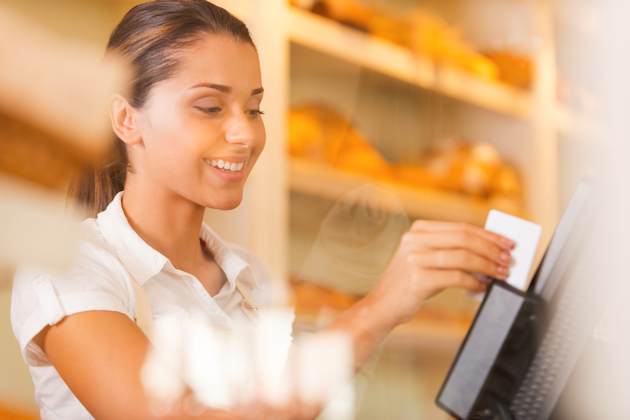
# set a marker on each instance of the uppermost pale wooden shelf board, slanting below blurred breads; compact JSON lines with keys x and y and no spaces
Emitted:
{"x":353,"y":46}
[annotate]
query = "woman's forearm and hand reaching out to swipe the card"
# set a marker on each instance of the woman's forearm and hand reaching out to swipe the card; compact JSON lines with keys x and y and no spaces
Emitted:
{"x":431,"y":257}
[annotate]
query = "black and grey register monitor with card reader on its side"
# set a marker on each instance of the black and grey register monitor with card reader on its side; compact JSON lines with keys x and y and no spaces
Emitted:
{"x":522,"y":346}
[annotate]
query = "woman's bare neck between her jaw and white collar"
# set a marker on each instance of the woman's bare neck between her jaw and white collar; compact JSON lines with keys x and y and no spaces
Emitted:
{"x":166,"y":221}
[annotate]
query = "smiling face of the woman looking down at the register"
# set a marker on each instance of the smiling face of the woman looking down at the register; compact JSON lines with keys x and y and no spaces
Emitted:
{"x":202,"y":130}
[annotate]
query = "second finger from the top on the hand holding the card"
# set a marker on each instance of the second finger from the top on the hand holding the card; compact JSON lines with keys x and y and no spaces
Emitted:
{"x":458,"y":239}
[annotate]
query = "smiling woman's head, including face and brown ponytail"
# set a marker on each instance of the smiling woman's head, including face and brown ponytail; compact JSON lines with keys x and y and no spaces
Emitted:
{"x":219,"y":56}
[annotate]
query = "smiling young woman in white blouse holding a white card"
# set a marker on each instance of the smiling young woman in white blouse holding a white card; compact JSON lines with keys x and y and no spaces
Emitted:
{"x":187,"y":136}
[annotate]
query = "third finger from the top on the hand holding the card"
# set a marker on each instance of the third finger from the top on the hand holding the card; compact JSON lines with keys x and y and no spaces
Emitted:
{"x":459,"y":259}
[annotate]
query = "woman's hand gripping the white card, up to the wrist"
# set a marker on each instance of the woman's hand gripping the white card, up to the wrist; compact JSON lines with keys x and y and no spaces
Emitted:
{"x":433,"y":256}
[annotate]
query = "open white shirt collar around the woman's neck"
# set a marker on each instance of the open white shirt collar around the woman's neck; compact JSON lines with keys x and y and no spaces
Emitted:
{"x":144,"y":262}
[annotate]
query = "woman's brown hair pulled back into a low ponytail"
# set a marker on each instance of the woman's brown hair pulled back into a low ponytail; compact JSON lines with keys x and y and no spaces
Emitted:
{"x":149,"y":38}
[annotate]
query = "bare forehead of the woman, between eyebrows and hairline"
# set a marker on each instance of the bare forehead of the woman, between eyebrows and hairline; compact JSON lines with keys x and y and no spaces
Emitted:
{"x":220,"y":59}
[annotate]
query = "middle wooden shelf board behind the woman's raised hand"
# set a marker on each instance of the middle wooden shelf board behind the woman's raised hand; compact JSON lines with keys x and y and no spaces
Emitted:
{"x":323,"y":181}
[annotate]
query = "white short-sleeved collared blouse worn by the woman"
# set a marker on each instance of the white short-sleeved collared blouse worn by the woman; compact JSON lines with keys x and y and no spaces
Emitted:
{"x":99,"y":281}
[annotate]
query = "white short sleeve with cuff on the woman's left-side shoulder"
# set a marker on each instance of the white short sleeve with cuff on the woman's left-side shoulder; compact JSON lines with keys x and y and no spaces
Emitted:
{"x":40,"y":298}
